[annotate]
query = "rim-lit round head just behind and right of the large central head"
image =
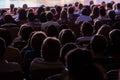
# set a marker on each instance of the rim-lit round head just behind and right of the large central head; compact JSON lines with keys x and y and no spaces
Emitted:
{"x":66,"y":36}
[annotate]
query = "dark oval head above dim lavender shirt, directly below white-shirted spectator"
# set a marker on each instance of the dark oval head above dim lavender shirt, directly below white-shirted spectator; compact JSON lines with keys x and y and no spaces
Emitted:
{"x":86,"y":29}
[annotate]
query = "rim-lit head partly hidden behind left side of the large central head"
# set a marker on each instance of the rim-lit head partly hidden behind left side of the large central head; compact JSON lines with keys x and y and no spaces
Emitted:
{"x":37,"y":40}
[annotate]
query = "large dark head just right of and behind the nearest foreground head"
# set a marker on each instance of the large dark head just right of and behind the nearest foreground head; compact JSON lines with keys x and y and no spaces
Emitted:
{"x":98,"y":45}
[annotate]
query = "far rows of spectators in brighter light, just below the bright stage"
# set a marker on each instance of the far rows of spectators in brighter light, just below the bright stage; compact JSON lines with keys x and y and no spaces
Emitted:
{"x":69,"y":13}
